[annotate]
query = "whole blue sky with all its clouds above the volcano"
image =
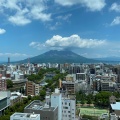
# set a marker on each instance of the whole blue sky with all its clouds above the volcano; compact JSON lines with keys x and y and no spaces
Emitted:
{"x":90,"y":28}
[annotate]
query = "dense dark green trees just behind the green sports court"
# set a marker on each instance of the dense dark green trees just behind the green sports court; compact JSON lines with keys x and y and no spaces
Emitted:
{"x":100,"y":99}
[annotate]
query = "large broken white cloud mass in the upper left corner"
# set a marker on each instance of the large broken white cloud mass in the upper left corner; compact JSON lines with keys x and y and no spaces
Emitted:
{"x":21,"y":12}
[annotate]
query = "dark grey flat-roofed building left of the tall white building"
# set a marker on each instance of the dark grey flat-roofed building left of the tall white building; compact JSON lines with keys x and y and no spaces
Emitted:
{"x":46,"y":112}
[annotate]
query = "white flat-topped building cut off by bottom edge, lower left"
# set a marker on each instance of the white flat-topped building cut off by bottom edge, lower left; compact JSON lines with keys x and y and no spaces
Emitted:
{"x":25,"y":116}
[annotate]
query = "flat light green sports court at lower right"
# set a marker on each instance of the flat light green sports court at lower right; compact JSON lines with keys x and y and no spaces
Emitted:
{"x":92,"y":111}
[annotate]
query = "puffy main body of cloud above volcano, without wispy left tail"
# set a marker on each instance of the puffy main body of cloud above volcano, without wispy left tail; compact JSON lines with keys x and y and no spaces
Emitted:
{"x":73,"y":41}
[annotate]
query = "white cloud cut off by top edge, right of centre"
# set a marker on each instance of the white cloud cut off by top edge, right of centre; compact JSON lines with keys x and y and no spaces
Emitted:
{"x":92,"y":5}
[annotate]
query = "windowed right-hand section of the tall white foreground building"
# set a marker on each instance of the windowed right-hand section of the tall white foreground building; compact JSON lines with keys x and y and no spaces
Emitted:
{"x":68,"y":109}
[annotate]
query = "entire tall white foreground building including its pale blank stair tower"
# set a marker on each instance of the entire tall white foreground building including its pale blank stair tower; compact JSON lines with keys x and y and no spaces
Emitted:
{"x":66,"y":105}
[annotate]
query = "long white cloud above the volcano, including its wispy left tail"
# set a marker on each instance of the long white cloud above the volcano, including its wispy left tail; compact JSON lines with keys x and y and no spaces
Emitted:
{"x":74,"y":41}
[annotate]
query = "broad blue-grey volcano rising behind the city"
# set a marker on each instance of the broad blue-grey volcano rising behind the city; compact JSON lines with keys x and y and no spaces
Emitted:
{"x":54,"y":56}
